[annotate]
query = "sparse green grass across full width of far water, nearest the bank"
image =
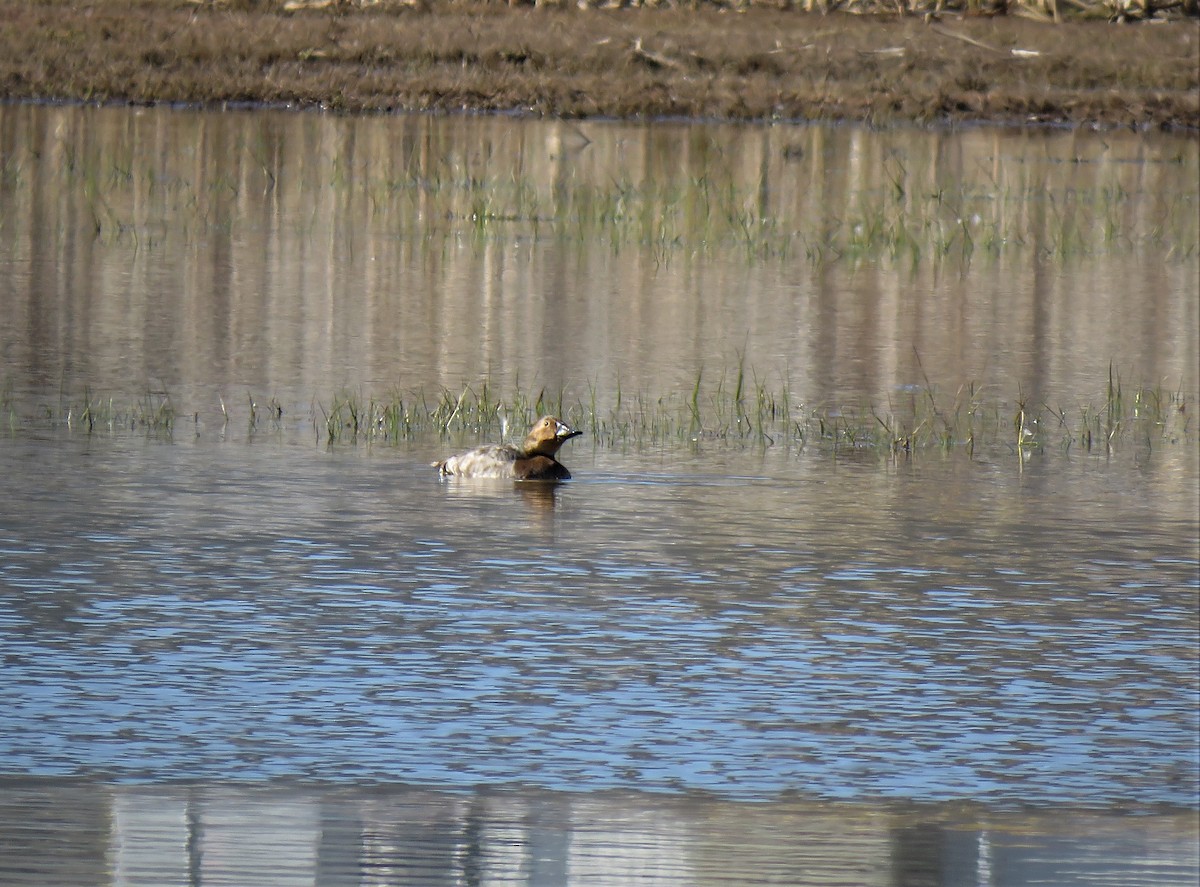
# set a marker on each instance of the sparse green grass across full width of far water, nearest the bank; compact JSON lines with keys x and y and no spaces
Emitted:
{"x":913,"y":213}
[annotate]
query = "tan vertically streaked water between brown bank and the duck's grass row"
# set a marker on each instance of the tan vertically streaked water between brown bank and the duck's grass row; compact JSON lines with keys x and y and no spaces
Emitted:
{"x":295,"y":255}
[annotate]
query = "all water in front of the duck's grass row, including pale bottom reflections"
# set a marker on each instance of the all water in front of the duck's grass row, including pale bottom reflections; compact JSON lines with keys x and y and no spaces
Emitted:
{"x":235,"y":615}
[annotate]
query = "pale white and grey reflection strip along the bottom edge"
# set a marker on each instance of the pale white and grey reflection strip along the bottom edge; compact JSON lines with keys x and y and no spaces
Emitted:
{"x":206,"y":835}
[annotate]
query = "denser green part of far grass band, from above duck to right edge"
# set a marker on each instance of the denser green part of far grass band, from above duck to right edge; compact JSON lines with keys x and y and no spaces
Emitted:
{"x":902,"y":221}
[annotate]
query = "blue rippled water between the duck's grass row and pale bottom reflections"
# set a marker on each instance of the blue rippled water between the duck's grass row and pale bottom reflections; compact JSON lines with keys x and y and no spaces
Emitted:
{"x":933,"y":632}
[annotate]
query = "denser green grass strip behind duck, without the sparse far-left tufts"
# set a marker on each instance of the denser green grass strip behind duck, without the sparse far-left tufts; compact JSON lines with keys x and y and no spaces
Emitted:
{"x":739,"y":409}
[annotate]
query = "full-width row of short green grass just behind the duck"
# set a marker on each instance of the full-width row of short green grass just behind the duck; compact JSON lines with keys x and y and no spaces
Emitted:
{"x":734,"y":407}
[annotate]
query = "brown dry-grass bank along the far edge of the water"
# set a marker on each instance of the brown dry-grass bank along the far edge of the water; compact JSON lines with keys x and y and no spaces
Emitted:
{"x":700,"y":63}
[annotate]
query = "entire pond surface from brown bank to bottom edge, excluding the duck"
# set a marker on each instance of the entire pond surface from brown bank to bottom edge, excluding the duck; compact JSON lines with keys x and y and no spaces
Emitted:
{"x":249,"y":637}
